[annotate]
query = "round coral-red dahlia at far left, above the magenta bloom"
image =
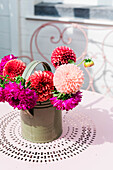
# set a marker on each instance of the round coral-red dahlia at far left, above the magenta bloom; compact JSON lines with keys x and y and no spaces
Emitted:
{"x":14,"y":68}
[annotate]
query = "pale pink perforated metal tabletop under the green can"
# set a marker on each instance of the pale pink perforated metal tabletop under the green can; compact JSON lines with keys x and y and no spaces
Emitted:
{"x":90,"y":148}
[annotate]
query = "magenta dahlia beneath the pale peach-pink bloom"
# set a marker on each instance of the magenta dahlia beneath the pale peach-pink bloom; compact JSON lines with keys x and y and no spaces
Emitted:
{"x":66,"y":104}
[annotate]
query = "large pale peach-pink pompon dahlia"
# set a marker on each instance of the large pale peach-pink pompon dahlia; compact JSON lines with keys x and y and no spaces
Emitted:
{"x":68,"y":78}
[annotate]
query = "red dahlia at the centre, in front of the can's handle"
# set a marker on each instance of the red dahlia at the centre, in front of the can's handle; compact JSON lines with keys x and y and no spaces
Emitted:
{"x":42,"y":83}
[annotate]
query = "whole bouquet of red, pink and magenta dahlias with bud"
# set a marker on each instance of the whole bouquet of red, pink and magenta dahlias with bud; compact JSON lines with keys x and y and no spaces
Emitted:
{"x":62,"y":88}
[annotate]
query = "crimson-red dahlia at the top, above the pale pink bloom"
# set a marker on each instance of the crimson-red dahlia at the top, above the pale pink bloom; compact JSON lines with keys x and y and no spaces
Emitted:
{"x":61,"y":55}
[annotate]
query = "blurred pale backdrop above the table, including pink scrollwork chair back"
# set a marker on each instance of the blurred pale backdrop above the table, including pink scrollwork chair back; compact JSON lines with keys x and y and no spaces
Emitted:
{"x":33,"y":29}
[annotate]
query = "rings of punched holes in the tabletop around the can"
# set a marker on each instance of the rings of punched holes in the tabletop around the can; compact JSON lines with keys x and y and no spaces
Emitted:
{"x":78,"y":134}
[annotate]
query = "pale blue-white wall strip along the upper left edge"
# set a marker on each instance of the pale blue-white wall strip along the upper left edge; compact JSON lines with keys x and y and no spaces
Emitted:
{"x":9,"y":27}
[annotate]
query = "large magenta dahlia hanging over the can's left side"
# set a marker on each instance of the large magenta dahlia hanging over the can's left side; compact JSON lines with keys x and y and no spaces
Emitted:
{"x":18,"y":97}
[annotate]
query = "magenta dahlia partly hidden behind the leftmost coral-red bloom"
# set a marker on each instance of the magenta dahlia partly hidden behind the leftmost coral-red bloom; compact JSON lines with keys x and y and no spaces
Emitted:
{"x":4,"y":61}
